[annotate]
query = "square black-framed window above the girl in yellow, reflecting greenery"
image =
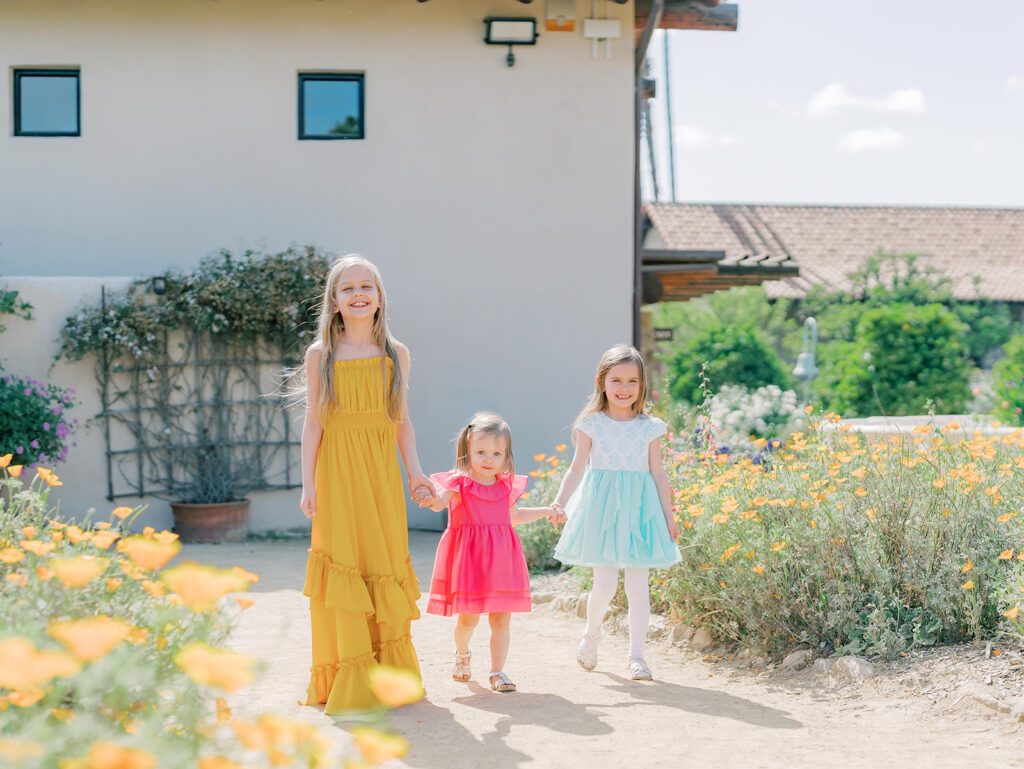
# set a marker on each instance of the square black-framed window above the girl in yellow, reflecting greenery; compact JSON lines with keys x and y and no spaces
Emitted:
{"x":331,"y":107}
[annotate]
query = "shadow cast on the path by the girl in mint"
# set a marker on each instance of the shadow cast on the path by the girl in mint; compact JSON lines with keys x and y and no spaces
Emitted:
{"x":697,"y":701}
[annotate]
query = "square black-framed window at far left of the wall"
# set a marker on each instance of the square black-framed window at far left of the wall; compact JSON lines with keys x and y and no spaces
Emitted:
{"x":48,"y":103}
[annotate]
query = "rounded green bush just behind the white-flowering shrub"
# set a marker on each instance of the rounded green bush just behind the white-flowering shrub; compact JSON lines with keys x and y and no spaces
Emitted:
{"x":735,"y":355}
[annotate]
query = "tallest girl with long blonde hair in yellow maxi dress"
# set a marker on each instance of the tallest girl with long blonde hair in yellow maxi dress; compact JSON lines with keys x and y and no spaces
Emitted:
{"x":360,"y":578}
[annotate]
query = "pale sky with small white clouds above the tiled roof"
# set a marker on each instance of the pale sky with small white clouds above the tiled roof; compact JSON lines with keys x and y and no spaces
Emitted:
{"x":863,"y":102}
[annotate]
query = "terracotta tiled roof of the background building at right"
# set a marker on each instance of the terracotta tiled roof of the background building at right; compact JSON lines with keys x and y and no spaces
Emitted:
{"x":828,"y":242}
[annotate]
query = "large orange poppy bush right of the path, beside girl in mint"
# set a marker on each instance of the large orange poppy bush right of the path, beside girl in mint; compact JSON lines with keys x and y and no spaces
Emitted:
{"x":851,"y":546}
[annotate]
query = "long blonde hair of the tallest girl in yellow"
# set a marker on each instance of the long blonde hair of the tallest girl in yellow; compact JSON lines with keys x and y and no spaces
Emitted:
{"x":331,"y":326}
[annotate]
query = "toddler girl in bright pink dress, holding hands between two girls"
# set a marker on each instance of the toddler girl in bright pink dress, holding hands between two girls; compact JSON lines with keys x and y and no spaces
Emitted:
{"x":480,"y":568}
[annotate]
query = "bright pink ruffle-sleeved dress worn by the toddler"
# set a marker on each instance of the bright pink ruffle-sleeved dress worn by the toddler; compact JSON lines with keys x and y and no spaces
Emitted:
{"x":480,"y":567}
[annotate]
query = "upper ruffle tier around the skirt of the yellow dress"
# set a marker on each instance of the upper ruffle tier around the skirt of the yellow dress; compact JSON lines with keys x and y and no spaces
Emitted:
{"x":343,"y":588}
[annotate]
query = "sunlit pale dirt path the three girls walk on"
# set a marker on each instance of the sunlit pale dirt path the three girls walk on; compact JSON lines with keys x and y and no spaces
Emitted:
{"x":694,"y":715}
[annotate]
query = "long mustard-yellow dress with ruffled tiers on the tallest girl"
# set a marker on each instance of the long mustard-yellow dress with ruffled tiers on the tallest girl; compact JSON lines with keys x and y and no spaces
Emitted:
{"x":360,"y":578}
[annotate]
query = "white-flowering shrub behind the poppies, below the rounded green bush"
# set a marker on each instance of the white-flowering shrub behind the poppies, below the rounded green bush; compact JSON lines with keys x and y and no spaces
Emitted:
{"x":740,"y":417}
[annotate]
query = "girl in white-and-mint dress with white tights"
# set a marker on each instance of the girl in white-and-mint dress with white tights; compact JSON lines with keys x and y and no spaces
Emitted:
{"x":617,"y":498}
